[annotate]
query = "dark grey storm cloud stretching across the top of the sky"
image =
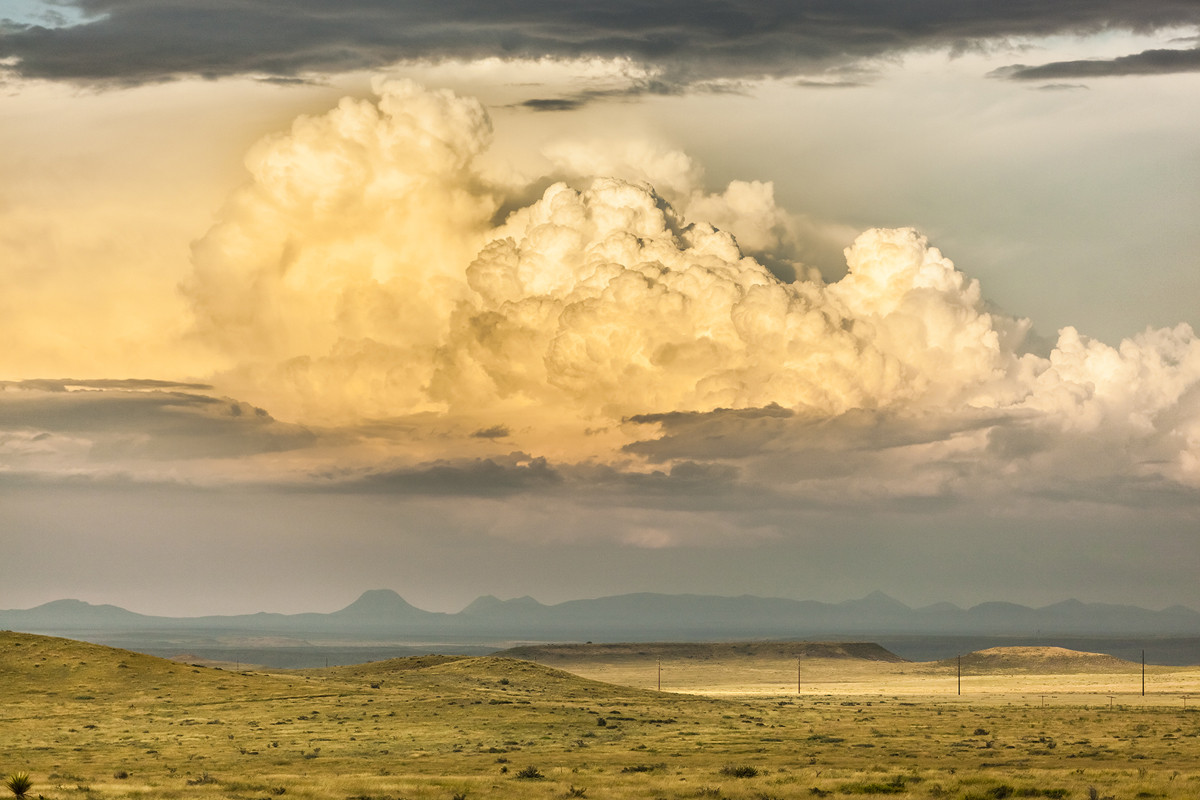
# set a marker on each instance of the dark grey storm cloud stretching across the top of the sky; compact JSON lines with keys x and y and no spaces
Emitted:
{"x":146,"y":41}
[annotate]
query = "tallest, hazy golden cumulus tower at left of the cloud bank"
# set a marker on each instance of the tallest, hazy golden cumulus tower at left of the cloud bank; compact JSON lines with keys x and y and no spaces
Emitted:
{"x":334,"y":273}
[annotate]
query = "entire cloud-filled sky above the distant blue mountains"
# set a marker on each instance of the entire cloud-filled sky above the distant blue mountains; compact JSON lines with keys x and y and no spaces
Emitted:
{"x":795,"y":298}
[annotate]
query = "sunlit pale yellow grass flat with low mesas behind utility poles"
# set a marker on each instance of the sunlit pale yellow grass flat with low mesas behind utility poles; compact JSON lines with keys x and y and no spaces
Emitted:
{"x":1003,"y":676}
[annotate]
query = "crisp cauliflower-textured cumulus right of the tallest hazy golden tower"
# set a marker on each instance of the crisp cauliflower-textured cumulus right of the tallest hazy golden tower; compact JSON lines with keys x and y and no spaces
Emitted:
{"x":603,"y":299}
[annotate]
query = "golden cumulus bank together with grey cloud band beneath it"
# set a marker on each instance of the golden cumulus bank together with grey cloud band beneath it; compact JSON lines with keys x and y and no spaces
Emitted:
{"x":393,"y":317}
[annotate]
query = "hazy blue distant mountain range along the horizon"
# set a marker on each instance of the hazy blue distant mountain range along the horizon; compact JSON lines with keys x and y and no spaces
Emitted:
{"x":383,"y":616}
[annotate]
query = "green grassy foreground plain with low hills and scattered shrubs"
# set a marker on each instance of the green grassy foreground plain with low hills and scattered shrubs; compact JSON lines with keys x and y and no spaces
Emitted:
{"x":92,"y":723}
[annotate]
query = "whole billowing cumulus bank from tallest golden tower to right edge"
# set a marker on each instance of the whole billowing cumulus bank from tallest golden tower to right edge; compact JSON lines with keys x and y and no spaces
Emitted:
{"x":361,"y":276}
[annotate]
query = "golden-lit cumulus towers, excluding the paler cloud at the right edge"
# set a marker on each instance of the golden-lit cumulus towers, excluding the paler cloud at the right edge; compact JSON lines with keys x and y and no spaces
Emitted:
{"x":358,"y":278}
